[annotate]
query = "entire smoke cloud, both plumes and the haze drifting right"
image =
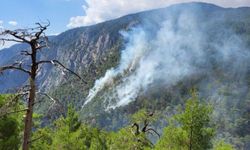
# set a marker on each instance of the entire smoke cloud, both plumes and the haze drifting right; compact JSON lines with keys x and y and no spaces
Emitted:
{"x":179,"y":50}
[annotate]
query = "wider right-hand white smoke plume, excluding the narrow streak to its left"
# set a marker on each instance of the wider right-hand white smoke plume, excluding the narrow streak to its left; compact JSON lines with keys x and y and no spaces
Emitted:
{"x":169,"y":60}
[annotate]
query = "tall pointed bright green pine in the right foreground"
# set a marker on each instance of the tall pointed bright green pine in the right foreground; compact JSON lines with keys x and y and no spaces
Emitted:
{"x":195,"y":120}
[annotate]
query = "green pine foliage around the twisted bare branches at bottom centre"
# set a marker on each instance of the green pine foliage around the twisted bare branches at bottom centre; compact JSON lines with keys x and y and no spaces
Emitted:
{"x":135,"y":137}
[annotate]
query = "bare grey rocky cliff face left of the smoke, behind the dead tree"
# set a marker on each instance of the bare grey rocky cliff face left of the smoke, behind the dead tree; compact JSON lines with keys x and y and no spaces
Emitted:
{"x":78,"y":49}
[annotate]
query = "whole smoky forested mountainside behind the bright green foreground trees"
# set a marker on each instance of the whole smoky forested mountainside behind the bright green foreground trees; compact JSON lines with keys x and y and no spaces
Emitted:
{"x":151,"y":60}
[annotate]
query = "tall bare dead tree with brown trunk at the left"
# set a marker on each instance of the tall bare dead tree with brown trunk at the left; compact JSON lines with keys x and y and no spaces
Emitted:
{"x":37,"y":40}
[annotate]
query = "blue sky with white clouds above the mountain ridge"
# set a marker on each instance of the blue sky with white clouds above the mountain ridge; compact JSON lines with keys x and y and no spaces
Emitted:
{"x":65,"y":14}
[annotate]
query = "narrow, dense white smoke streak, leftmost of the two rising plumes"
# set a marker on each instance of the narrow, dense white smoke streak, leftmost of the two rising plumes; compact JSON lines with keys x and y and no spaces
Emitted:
{"x":129,"y":57}
